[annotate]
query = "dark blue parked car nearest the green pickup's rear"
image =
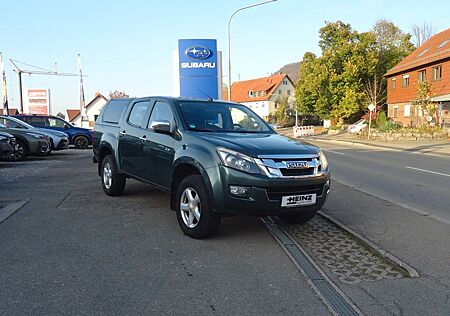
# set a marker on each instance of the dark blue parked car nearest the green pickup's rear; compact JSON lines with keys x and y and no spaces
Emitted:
{"x":81,"y":138}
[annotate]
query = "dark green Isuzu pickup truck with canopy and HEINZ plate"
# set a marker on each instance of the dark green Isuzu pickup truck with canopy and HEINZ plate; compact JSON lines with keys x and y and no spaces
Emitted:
{"x":215,"y":158}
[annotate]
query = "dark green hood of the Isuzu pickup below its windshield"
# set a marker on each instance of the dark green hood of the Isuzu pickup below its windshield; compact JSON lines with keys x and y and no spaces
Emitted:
{"x":259,"y":144}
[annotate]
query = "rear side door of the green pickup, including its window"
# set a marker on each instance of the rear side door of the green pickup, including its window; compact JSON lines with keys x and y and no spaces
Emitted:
{"x":132,"y":140}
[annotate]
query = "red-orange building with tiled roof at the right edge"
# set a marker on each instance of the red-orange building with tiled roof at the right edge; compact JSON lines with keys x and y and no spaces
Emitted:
{"x":430,"y":62}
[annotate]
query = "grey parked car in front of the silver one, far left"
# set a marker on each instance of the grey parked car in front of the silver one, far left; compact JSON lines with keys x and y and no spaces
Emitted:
{"x":28,"y":143}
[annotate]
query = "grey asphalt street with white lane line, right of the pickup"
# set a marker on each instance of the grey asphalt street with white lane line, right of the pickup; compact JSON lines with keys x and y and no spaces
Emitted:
{"x":416,"y":181}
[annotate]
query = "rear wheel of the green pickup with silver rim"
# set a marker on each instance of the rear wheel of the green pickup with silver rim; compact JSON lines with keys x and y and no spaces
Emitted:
{"x":113,"y":183}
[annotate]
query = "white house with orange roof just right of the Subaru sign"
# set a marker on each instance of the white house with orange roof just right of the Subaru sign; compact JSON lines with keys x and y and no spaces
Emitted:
{"x":262,"y":94}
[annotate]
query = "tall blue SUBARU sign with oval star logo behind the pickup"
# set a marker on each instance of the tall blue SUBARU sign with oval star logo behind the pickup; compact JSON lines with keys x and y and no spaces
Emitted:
{"x":198,"y":68}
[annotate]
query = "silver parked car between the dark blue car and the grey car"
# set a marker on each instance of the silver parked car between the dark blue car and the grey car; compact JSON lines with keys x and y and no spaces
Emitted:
{"x":59,"y":140}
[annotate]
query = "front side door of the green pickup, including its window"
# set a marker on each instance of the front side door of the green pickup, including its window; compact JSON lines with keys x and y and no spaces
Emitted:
{"x":159,"y":148}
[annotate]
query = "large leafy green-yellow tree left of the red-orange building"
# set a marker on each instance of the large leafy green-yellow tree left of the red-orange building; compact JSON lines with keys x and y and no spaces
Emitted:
{"x":348,"y":75}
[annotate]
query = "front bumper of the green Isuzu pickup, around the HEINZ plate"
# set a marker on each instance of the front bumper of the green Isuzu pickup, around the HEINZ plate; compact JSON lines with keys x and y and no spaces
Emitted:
{"x":266,"y":193}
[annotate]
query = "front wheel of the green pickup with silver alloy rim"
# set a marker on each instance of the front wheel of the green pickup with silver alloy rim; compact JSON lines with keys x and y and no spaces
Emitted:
{"x":204,"y":221}
